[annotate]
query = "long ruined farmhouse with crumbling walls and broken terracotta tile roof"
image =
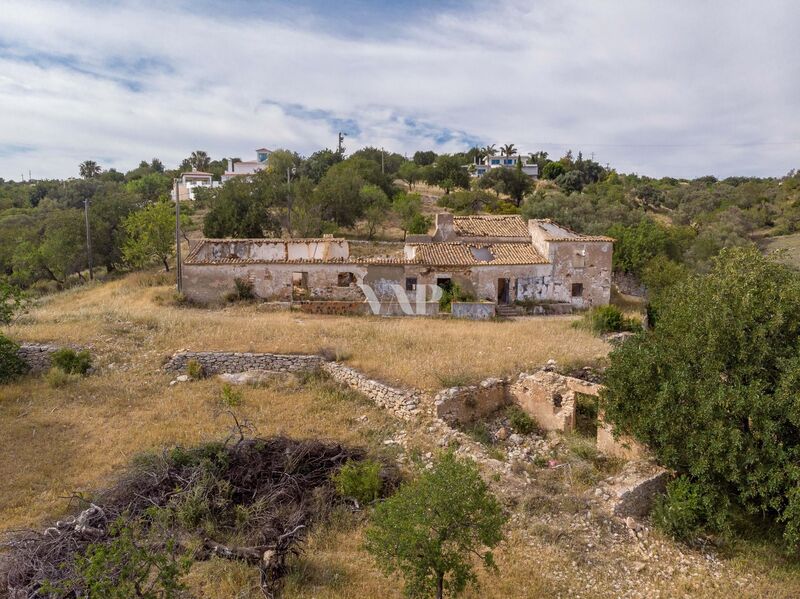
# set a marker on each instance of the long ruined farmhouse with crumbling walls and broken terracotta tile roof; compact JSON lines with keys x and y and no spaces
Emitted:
{"x":495,"y":260}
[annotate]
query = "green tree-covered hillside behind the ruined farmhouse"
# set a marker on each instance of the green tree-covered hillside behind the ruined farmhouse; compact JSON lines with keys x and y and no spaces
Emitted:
{"x":660,"y":224}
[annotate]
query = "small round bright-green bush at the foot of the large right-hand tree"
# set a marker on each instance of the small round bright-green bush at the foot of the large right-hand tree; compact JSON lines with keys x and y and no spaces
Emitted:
{"x":681,"y":512}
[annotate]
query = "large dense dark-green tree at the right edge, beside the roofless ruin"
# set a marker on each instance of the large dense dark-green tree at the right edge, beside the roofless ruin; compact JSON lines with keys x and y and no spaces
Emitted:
{"x":713,"y":389}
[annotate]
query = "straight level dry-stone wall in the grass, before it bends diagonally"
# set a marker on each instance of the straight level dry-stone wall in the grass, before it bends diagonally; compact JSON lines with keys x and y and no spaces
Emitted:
{"x":218,"y":362}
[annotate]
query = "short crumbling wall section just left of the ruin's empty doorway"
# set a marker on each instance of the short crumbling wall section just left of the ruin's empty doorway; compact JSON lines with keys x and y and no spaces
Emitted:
{"x":463,"y":405}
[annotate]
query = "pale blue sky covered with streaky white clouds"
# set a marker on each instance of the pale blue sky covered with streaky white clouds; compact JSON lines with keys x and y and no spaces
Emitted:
{"x":679,"y":88}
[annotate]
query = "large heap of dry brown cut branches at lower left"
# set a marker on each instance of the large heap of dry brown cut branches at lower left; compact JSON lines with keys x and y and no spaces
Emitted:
{"x":280,"y":485}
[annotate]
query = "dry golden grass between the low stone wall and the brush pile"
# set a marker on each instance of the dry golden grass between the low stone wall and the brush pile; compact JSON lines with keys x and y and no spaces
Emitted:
{"x":58,"y":441}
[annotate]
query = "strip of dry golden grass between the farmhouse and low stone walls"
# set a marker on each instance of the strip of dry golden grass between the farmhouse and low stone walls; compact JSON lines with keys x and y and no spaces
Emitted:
{"x":121,"y":317}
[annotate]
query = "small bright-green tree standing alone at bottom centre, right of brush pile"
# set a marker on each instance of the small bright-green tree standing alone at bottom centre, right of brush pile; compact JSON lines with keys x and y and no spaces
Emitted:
{"x":433,"y":527}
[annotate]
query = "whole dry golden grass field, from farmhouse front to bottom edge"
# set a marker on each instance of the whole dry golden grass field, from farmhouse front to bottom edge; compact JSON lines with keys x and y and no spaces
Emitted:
{"x":58,"y":441}
